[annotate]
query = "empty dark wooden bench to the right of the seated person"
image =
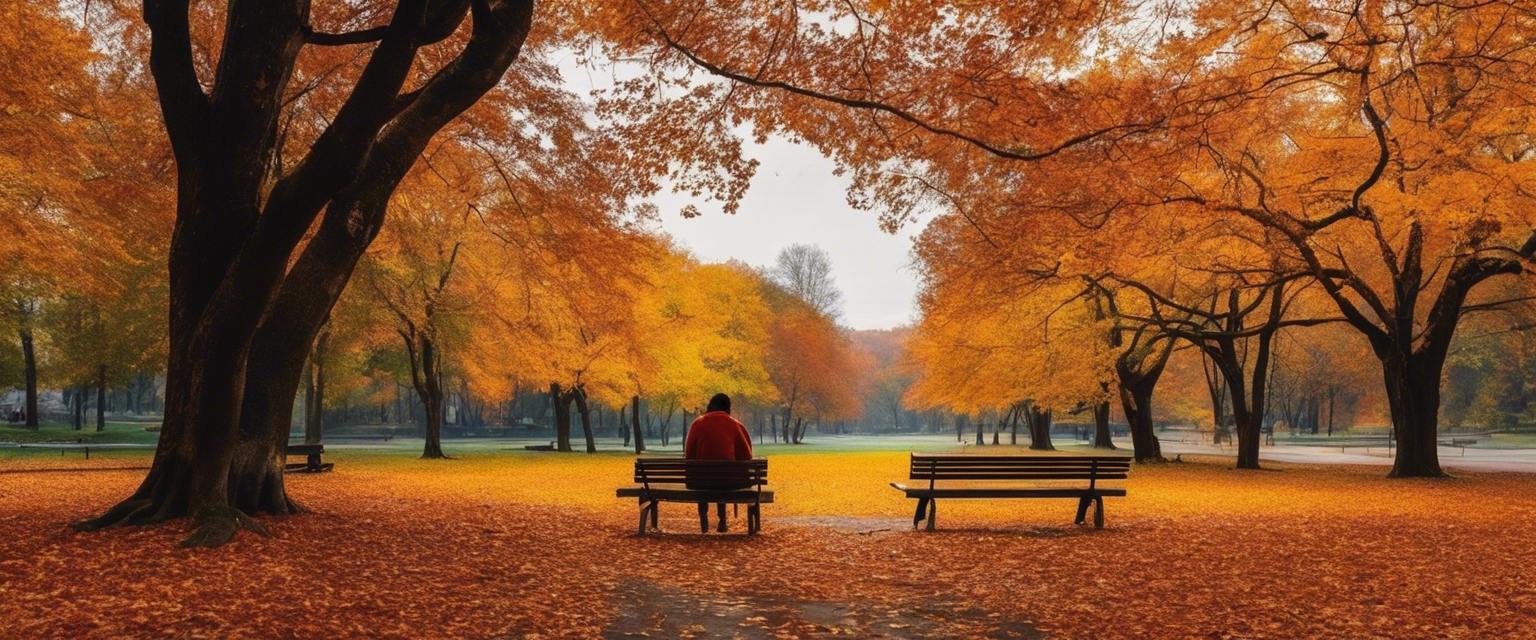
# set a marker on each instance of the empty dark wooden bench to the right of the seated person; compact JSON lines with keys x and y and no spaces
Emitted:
{"x":1013,"y":477}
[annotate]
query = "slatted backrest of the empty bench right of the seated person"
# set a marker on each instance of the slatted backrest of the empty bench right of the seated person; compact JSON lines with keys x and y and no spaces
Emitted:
{"x":1091,"y":469}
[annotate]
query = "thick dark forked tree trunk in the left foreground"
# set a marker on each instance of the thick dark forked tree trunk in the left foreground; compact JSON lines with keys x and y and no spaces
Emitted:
{"x":219,"y":457}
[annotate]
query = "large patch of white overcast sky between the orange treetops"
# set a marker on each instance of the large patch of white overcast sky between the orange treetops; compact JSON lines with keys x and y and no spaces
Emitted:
{"x":796,"y":199}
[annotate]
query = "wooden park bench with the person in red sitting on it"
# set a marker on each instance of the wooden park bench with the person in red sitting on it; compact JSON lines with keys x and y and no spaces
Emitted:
{"x":666,"y":480}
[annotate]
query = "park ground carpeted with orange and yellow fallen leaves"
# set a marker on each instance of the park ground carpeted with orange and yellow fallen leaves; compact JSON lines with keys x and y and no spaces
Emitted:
{"x":511,"y":544}
